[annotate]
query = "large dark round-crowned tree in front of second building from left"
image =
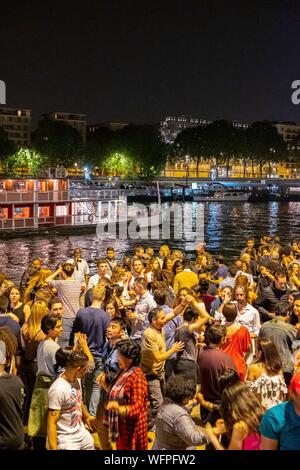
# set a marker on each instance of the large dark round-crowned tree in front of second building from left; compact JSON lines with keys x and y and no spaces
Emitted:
{"x":59,"y":142}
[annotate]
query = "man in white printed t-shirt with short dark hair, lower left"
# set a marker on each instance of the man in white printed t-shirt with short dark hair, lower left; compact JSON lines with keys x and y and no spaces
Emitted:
{"x":67,"y":414}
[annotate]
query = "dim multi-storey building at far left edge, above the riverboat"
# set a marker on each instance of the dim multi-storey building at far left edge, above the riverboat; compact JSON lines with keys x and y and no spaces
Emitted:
{"x":16,"y":122}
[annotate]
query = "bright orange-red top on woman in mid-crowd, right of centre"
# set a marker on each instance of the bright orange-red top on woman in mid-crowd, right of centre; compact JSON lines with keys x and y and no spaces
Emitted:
{"x":236,"y":345}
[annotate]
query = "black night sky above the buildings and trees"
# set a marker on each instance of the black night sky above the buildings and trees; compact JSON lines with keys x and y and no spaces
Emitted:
{"x":139,"y":61}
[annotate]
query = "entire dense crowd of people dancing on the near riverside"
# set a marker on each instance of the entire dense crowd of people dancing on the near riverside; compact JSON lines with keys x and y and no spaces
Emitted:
{"x":135,"y":346}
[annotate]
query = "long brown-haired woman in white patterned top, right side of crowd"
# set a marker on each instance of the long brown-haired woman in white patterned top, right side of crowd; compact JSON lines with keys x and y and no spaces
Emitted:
{"x":265,"y":375}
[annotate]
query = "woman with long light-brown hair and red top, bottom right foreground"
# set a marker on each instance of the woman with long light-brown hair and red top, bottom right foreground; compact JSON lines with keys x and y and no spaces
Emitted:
{"x":241,"y":412}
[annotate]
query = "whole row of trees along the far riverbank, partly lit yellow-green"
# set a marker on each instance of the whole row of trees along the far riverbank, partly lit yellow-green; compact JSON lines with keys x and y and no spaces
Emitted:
{"x":139,"y":150}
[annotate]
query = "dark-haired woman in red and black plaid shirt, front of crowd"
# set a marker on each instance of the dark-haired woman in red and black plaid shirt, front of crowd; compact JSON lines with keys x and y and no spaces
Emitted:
{"x":126,"y":413}
